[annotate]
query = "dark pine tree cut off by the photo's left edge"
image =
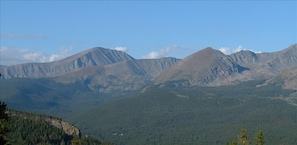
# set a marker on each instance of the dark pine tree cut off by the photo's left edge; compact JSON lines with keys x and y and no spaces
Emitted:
{"x":3,"y":123}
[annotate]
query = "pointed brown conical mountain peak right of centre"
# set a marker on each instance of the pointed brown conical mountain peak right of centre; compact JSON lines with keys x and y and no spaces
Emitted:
{"x":201,"y":68}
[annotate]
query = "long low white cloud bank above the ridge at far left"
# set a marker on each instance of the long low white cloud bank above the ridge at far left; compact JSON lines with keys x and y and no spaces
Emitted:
{"x":11,"y":56}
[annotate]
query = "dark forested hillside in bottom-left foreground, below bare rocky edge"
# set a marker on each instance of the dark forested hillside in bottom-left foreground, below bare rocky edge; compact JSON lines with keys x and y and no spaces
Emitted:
{"x":29,"y":128}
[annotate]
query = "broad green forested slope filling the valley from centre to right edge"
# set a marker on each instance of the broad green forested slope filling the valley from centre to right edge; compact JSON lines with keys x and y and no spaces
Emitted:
{"x":198,"y":115}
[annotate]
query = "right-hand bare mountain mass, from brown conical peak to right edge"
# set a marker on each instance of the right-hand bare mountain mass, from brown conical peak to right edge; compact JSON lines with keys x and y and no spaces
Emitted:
{"x":210,"y":67}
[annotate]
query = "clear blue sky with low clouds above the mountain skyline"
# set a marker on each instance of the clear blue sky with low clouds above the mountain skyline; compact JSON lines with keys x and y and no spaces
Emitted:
{"x":41,"y":31}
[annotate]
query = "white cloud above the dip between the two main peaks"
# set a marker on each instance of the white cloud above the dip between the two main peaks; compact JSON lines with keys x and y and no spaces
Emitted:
{"x":165,"y":52}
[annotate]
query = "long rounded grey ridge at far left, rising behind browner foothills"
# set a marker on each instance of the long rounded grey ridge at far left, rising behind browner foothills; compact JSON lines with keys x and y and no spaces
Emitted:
{"x":92,"y":57}
